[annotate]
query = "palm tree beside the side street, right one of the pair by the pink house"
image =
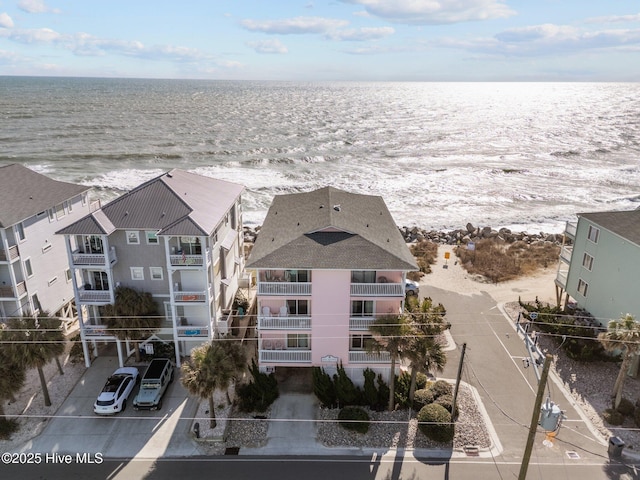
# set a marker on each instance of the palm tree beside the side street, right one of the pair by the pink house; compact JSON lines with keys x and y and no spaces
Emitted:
{"x":425,"y":352}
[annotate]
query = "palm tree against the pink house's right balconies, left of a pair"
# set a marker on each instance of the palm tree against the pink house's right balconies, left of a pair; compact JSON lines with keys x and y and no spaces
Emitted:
{"x":391,"y":334}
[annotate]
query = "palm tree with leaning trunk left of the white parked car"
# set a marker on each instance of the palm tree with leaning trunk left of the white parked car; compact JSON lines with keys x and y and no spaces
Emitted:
{"x":35,"y":342}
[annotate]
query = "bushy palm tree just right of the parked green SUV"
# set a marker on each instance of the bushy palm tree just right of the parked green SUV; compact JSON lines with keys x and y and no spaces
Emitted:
{"x":212,"y":366}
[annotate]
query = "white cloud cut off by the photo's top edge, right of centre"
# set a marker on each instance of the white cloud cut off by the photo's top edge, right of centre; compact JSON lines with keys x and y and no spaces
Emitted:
{"x":433,"y":12}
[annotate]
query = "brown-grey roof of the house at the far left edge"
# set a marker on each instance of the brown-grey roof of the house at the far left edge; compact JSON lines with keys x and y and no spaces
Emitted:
{"x":24,"y":193}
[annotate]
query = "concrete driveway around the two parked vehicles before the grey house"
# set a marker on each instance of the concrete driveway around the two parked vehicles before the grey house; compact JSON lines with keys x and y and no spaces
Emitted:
{"x":130,"y":434}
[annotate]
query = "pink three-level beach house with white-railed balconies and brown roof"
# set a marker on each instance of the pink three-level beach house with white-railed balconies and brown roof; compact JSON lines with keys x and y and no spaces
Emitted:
{"x":328,"y":262}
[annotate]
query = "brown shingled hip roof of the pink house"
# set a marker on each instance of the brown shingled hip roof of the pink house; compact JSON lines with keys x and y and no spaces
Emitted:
{"x":329,"y":228}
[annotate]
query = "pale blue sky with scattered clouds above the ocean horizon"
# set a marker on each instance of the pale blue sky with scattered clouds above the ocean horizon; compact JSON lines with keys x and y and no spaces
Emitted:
{"x":314,"y":40}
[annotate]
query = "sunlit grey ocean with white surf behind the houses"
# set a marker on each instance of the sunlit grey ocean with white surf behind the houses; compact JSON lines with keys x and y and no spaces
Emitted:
{"x":524,"y":155}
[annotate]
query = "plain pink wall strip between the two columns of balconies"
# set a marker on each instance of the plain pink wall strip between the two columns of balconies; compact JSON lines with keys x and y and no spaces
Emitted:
{"x":330,"y":314}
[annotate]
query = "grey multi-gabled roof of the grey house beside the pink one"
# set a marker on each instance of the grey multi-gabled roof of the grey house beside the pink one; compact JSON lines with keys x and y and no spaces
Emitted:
{"x":175,"y":203}
